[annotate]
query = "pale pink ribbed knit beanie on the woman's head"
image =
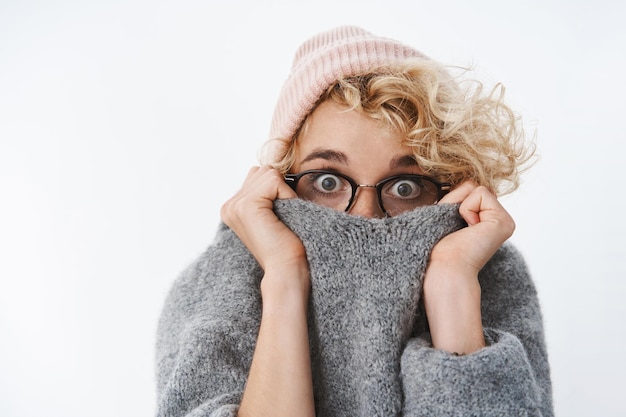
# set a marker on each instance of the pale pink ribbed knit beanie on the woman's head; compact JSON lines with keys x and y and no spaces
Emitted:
{"x":320,"y":61}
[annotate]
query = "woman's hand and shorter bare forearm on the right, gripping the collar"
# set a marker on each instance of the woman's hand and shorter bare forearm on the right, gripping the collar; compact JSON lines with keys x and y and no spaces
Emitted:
{"x":451,"y":288}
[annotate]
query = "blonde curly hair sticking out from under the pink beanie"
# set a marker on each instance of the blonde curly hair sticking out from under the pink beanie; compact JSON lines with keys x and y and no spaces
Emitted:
{"x":457,"y":131}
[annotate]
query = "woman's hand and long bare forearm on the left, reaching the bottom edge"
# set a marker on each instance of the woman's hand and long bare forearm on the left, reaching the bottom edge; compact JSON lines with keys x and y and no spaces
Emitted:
{"x":280,"y":381}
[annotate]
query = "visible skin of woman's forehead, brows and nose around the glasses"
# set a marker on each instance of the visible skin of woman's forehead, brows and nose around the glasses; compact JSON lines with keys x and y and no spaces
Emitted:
{"x":347,"y":142}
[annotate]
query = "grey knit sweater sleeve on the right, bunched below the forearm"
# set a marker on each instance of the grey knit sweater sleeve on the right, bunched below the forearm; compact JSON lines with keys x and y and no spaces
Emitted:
{"x":508,"y":377}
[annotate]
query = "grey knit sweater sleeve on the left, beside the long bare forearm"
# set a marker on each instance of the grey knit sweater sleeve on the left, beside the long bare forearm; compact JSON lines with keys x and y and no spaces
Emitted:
{"x":206,"y":336}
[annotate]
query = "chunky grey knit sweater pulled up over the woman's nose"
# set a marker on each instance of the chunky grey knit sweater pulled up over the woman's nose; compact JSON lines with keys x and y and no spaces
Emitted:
{"x":370,"y":348}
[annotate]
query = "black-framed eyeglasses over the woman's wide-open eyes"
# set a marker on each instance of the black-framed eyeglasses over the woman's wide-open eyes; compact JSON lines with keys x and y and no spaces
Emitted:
{"x":396,"y":194}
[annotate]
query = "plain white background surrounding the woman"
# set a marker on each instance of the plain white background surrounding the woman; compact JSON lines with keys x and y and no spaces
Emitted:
{"x":125,"y":124}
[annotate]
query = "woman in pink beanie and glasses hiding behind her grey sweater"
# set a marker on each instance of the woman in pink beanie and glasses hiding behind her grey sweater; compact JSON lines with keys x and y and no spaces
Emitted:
{"x":363,"y":269}
